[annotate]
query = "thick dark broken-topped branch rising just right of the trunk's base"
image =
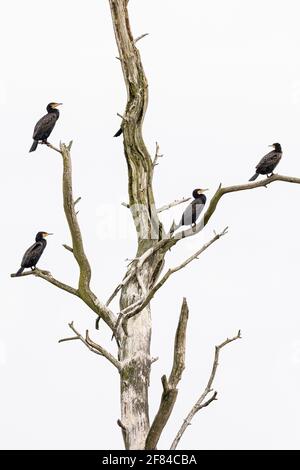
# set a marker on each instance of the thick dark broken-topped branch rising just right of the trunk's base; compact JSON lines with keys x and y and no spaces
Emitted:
{"x":170,"y":392}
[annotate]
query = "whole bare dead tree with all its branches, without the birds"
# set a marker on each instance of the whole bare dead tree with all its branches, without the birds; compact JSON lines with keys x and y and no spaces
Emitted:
{"x":131,"y":325}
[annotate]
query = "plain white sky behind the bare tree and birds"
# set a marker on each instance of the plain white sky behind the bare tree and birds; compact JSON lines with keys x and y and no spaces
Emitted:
{"x":224,"y":82}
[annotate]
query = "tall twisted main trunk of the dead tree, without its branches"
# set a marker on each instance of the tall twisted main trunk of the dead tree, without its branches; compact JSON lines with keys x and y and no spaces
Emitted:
{"x":134,"y":349}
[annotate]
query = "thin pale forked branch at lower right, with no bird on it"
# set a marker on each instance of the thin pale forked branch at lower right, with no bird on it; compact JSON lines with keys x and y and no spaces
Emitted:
{"x":200,"y":403}
